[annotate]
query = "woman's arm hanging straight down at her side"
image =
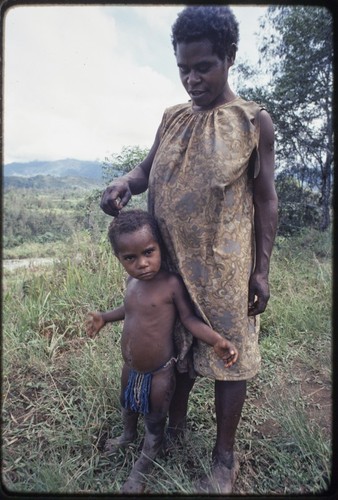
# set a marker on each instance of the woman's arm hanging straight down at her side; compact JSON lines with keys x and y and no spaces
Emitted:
{"x":265,"y":217}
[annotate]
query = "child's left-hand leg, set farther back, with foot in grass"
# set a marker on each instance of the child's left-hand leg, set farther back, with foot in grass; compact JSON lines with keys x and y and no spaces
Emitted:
{"x":129,"y":419}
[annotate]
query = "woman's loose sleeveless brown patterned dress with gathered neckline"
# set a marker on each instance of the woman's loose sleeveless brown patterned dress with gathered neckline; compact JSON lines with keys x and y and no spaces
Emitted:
{"x":200,"y":190}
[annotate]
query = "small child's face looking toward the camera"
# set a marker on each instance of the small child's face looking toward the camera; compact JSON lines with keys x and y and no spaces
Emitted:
{"x":140,"y":254}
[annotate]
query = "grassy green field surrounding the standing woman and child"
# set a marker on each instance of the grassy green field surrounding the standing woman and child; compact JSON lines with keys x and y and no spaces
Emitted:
{"x":60,"y":389}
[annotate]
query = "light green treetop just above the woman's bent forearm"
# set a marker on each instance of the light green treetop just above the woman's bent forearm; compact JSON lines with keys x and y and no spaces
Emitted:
{"x":123,"y":162}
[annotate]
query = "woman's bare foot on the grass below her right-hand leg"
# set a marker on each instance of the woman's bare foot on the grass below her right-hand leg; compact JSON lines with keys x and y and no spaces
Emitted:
{"x":221,"y":480}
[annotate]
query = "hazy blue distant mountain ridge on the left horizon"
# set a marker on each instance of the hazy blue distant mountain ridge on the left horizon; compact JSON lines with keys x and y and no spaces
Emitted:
{"x":58,"y":168}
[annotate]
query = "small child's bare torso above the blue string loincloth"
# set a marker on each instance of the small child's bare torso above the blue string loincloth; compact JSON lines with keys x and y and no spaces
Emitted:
{"x":150,"y":313}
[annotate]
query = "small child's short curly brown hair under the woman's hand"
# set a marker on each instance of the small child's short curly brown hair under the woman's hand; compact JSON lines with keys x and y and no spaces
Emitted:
{"x":129,"y":221}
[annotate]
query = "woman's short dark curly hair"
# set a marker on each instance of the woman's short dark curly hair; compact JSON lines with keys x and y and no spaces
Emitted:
{"x":216,"y":23}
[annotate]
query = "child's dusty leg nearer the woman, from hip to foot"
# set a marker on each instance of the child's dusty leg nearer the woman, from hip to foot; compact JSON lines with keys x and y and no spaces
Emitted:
{"x":162,"y":389}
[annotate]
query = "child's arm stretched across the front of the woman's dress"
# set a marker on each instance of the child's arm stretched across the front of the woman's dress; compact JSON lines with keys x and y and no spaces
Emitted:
{"x":222,"y":347}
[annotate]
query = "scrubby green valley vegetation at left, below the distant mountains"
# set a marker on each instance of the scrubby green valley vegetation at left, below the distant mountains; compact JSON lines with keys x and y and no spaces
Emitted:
{"x":39,"y":217}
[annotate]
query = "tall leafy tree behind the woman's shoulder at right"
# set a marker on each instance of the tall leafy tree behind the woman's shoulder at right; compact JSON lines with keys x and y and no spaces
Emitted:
{"x":297,"y":51}
